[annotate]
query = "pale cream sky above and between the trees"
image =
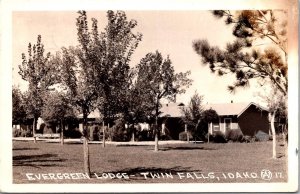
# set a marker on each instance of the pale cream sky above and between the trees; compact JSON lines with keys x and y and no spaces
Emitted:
{"x":170,"y":32}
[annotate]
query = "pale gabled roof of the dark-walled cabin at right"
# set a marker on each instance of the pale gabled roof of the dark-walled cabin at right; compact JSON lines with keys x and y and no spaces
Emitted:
{"x":232,"y":108}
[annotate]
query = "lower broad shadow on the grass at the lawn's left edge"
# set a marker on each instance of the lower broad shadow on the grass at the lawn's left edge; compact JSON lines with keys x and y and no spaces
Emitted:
{"x":37,"y":161}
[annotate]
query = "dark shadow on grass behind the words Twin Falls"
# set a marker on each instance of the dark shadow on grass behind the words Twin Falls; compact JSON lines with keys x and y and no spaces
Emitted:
{"x":139,"y":173}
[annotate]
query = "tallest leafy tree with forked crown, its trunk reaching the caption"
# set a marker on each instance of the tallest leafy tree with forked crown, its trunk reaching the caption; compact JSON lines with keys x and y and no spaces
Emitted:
{"x":95,"y":72}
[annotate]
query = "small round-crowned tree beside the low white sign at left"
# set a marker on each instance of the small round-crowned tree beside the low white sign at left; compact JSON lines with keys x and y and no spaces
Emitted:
{"x":57,"y":109}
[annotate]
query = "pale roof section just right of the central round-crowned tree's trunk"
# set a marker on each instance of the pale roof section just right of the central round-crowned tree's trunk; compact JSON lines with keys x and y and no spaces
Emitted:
{"x":171,"y":110}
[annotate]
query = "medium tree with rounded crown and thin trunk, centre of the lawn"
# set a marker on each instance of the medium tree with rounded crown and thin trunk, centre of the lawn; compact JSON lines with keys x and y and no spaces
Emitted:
{"x":156,"y":78}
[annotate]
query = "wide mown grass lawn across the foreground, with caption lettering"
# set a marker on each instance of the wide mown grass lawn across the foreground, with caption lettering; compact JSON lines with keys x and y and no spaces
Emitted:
{"x":174,"y":163}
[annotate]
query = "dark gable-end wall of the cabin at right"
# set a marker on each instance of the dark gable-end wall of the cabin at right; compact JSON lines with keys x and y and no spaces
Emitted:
{"x":253,"y":120}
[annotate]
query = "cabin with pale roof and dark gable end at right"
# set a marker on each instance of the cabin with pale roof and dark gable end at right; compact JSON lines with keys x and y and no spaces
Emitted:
{"x":248,"y":117}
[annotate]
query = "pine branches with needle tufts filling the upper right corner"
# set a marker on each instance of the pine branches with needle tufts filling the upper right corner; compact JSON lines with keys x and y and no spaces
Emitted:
{"x":255,"y":30}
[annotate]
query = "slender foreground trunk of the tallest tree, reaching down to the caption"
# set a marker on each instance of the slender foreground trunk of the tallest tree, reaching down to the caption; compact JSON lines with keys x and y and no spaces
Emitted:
{"x":86,"y":156}
